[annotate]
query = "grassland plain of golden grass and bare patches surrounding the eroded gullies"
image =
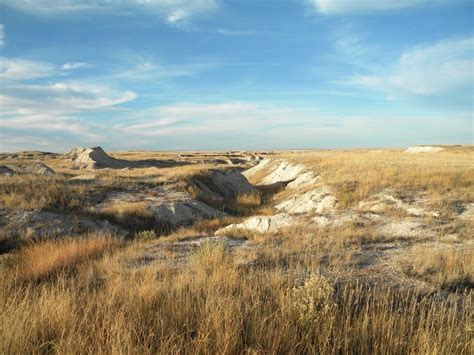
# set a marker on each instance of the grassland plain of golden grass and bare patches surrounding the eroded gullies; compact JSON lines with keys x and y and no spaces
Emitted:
{"x":358,"y":286}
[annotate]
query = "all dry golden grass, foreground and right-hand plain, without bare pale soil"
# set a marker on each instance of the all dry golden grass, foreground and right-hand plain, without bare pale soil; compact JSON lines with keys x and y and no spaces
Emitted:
{"x":300,"y":290}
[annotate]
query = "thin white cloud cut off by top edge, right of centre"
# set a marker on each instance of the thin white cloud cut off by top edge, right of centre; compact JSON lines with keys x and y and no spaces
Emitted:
{"x":330,"y":7}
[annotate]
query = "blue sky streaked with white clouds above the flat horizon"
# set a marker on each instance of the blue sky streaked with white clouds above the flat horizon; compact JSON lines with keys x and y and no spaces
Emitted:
{"x":235,"y":74}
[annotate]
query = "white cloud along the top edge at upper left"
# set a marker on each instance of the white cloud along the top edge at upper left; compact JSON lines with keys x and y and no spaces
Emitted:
{"x":175,"y":12}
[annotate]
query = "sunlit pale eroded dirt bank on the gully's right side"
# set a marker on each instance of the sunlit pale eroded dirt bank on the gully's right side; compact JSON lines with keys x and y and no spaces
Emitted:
{"x":306,"y":199}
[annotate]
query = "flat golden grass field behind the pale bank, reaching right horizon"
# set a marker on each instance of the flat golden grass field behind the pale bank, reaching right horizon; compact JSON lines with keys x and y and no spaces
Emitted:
{"x":446,"y":178}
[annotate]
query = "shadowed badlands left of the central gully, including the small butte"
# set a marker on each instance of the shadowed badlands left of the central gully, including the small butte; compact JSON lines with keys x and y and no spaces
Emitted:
{"x":167,"y":205}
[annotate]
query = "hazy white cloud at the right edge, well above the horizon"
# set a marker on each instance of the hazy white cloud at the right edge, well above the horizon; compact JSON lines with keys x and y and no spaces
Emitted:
{"x":439,"y":68}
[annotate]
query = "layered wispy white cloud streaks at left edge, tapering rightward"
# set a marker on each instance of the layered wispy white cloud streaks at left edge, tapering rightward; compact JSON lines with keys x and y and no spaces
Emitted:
{"x":52,"y":106}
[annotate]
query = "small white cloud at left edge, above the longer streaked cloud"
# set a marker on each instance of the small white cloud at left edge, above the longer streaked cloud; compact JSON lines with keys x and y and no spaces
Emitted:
{"x":22,"y":69}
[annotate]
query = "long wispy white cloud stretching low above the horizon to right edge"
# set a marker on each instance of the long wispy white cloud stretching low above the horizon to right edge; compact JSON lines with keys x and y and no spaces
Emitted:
{"x":232,"y":124}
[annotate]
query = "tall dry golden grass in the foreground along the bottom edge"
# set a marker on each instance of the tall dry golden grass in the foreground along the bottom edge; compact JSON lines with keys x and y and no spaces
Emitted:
{"x":215,"y":307}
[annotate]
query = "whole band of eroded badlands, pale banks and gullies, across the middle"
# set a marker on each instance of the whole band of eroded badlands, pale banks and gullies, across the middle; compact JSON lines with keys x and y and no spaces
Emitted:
{"x":256,"y":192}
